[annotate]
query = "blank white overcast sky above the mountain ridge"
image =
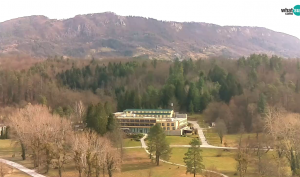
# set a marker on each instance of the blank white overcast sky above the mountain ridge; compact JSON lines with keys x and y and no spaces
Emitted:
{"x":262,"y":13}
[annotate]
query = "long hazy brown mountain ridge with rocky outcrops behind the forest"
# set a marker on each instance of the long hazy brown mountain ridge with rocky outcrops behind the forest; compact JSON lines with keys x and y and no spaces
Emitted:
{"x":110,"y":35}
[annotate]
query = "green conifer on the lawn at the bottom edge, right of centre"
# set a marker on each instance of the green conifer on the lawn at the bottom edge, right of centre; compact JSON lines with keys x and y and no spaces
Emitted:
{"x":193,"y":158}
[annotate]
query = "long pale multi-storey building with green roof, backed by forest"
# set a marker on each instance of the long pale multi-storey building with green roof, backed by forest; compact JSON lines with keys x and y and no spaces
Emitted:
{"x":141,"y":120}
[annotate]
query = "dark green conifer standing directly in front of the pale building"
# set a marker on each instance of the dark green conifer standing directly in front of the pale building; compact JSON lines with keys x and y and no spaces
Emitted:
{"x":158,"y":145}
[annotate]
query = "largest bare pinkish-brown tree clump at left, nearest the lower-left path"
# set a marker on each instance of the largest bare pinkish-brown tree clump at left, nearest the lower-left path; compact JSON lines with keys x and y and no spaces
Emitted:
{"x":43,"y":134}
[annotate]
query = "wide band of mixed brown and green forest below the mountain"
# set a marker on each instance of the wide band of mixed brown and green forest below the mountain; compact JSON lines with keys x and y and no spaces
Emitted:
{"x":237,"y":91}
